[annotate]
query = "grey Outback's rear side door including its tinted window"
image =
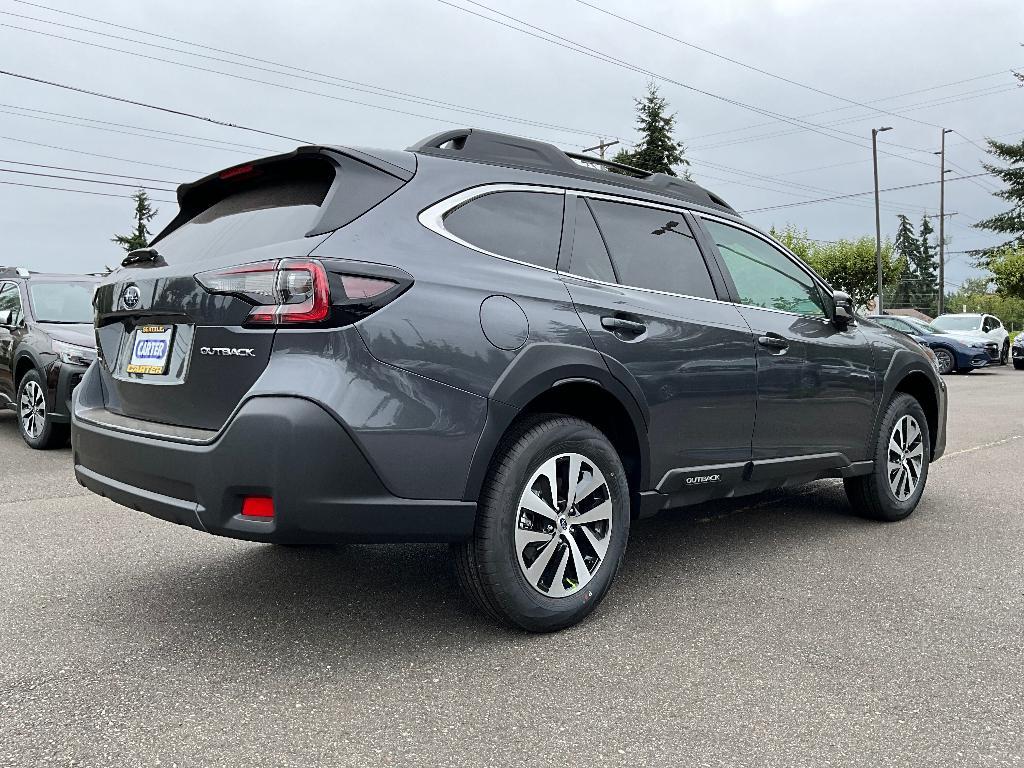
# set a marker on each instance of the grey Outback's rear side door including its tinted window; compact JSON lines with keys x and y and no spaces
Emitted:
{"x":651,"y":305}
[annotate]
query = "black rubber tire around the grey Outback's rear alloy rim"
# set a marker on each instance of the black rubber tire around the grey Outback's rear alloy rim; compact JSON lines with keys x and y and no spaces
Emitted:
{"x":488,"y":567}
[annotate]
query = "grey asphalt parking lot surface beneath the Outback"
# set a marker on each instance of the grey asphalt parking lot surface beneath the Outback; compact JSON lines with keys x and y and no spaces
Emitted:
{"x":776,"y":631}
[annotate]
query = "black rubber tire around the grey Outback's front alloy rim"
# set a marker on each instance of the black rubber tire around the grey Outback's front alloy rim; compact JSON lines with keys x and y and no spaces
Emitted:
{"x":872,"y":496}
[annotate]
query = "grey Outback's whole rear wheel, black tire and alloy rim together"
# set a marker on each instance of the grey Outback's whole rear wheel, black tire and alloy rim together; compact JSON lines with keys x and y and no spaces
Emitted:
{"x":551,"y":528}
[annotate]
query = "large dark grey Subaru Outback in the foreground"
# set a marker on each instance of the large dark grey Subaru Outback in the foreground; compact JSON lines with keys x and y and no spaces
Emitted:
{"x":486,"y":342}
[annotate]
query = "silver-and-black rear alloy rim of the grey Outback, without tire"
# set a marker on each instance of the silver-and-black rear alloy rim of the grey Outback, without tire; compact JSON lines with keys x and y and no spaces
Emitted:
{"x":564,"y":525}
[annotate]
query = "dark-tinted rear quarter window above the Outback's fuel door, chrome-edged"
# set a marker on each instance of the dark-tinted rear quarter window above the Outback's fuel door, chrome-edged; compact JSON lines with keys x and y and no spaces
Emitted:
{"x":525,"y":227}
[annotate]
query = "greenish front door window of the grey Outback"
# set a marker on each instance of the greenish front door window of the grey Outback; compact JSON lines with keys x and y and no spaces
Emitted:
{"x":764,"y":276}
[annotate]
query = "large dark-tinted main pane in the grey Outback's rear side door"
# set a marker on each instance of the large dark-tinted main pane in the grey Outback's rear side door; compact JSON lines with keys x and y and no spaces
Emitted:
{"x":653,"y":249}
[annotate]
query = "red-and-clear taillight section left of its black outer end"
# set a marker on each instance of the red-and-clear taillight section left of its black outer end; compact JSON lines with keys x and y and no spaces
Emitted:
{"x":286,"y":292}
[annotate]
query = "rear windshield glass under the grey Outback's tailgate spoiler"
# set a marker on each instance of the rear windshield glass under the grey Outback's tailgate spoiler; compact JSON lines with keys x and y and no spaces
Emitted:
{"x":273,"y":212}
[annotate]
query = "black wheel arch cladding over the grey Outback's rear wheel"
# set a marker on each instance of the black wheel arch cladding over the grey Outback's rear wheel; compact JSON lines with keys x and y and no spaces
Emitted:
{"x":572,"y":381}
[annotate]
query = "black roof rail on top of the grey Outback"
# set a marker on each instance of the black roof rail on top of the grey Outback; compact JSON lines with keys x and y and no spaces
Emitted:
{"x":501,"y":149}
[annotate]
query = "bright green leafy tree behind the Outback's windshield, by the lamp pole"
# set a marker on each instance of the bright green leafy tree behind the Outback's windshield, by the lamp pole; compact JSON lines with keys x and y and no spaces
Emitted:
{"x":846,"y":265}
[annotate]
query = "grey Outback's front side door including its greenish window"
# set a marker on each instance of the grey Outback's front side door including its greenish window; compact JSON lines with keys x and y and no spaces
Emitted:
{"x":817,"y":390}
